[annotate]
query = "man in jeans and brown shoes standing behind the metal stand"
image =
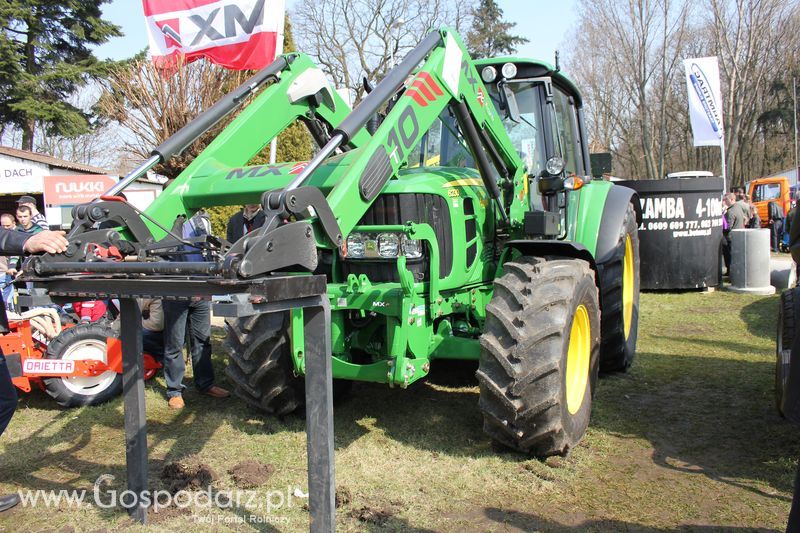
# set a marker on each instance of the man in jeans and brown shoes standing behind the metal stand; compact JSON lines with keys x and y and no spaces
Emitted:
{"x":197,"y":315}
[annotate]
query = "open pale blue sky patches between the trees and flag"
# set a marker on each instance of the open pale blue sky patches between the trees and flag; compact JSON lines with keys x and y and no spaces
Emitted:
{"x":545,"y":22}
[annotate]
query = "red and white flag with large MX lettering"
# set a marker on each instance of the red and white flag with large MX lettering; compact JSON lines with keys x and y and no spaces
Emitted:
{"x":236,"y":34}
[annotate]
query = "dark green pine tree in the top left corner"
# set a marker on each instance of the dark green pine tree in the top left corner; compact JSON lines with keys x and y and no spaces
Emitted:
{"x":45,"y":56}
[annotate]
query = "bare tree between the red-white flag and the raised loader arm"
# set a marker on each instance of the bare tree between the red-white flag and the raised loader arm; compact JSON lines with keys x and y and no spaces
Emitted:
{"x":353,"y":39}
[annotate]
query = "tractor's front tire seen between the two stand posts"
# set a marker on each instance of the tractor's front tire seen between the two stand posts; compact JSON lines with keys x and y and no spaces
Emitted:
{"x":260,"y":365}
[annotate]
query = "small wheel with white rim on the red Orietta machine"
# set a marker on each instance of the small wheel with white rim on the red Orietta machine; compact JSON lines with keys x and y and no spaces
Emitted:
{"x":85,"y":341}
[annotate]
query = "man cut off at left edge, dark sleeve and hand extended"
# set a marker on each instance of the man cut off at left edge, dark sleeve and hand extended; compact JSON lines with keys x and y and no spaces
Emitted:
{"x":17,"y":243}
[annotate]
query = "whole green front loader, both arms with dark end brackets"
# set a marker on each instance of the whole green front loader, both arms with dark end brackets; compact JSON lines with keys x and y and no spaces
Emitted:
{"x":436,"y":75}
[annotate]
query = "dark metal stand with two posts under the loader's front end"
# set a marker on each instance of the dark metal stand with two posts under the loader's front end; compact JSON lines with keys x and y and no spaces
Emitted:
{"x":271,"y":294}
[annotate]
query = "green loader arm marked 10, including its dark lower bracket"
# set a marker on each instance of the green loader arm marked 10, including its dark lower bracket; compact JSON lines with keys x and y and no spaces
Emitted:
{"x":446,"y":77}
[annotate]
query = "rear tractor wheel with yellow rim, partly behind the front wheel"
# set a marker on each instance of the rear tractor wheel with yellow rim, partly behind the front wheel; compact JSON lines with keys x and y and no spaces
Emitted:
{"x":619,"y":296}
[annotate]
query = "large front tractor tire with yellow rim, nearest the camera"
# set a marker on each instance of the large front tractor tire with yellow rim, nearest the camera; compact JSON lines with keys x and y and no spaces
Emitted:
{"x":539,"y":355}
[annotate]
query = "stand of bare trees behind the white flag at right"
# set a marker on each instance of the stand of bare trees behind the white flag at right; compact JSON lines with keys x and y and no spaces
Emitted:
{"x":626,"y":57}
